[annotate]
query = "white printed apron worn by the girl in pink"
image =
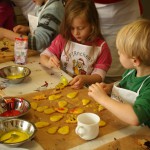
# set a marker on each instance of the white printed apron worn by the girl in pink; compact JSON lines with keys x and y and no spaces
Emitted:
{"x":79,"y":59}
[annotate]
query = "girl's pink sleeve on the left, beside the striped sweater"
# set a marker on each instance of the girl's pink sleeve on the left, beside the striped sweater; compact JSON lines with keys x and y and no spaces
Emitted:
{"x":57,"y":46}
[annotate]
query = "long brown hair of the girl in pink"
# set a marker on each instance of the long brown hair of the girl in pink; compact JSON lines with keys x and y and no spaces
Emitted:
{"x":74,"y":8}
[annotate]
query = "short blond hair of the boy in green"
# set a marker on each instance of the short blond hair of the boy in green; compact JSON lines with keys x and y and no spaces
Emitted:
{"x":133,"y":40}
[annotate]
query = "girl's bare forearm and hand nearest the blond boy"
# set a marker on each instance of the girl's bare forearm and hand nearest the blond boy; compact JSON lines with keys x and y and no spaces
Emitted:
{"x":81,"y":80}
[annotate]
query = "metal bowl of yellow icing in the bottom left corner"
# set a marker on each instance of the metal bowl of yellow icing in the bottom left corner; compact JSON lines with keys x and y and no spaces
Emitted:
{"x":23,"y":130}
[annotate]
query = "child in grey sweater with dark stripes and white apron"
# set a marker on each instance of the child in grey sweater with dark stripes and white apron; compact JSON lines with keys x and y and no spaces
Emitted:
{"x":43,"y":26}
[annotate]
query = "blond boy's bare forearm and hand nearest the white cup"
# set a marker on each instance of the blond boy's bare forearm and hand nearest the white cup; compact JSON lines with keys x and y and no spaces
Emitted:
{"x":123,"y":111}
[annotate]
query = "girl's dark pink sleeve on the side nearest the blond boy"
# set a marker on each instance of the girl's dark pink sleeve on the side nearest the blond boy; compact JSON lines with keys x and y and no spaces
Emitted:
{"x":104,"y":60}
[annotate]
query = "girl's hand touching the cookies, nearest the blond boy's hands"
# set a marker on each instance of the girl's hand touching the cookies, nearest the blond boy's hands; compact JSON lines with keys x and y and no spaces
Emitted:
{"x":77,"y":82}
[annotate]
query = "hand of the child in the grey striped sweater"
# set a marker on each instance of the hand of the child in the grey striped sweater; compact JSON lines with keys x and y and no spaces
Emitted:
{"x":21,"y":29}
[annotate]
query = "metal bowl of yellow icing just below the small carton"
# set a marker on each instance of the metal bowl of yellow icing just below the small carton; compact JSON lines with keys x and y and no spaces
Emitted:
{"x":14,"y":74}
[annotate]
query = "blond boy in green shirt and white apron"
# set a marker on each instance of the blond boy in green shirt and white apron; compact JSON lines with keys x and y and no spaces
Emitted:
{"x":133,"y":91}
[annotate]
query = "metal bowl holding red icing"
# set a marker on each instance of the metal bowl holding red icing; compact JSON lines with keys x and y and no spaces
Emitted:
{"x":13,"y":107}
